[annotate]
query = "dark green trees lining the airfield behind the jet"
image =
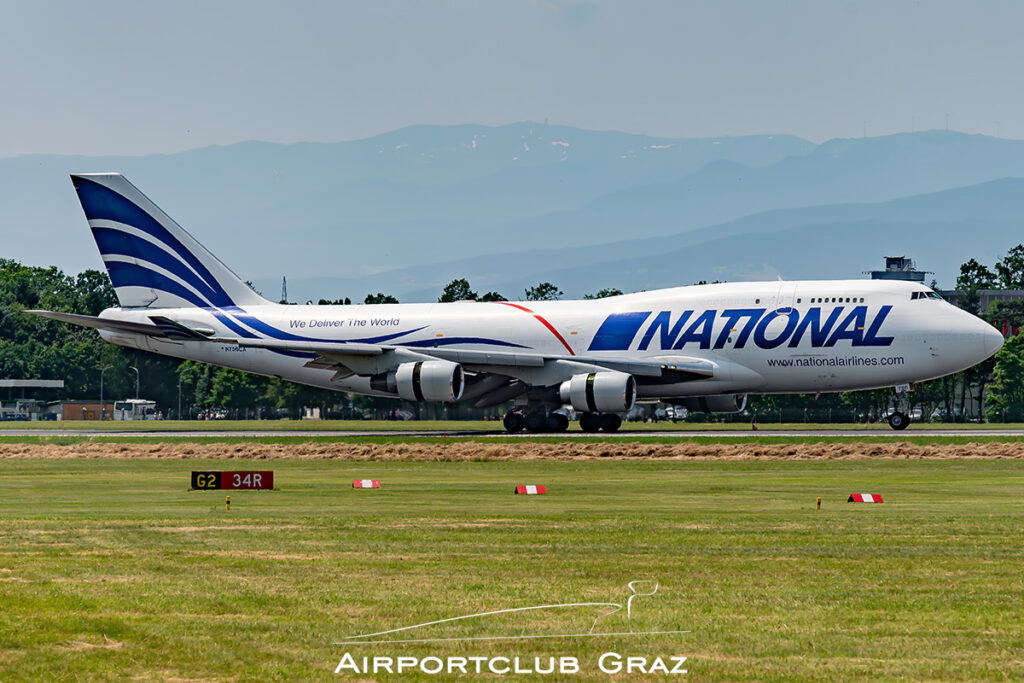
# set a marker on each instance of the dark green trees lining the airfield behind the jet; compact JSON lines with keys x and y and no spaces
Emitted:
{"x":36,"y":349}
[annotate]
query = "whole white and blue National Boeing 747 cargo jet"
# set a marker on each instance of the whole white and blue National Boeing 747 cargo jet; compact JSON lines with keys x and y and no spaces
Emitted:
{"x":706,"y":348}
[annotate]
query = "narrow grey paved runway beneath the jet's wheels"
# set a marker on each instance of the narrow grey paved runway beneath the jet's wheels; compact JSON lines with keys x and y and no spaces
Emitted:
{"x":626,"y":435}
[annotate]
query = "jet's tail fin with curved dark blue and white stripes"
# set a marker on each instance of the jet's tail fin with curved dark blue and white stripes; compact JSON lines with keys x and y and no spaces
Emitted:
{"x":152,"y":261}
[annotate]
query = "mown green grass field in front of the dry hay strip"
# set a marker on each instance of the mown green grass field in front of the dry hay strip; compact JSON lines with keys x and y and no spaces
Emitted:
{"x":111,"y":570}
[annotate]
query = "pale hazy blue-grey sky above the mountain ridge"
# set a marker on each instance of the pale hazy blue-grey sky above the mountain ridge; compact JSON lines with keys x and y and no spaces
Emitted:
{"x":105,"y":77}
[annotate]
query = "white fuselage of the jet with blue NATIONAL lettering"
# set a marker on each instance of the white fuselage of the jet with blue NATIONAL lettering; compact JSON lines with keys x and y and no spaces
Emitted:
{"x":776,"y":337}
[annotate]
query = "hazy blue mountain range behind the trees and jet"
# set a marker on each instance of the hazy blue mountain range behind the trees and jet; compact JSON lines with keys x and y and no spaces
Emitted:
{"x":507,"y":207}
